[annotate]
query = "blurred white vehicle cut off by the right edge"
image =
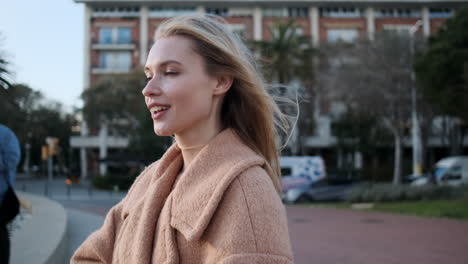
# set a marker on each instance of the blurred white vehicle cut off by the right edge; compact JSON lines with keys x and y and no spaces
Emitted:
{"x":452,"y":170}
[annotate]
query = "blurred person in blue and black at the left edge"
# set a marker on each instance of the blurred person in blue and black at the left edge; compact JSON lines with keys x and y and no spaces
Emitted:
{"x":10,"y":155}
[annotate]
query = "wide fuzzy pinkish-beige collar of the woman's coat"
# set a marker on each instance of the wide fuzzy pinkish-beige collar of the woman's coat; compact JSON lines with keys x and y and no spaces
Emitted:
{"x":200,"y":188}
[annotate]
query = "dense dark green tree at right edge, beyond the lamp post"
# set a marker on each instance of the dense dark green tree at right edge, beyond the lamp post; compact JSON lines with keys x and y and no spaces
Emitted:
{"x":442,"y":67}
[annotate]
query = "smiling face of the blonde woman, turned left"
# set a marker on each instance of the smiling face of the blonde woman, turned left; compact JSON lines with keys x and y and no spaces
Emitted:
{"x":179,"y":93}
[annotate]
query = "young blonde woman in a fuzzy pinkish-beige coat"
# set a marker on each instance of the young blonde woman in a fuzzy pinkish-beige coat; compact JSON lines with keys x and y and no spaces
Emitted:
{"x":214,"y":195}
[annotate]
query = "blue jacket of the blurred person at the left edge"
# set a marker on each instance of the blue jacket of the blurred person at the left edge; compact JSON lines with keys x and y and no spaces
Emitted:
{"x":10,"y":155}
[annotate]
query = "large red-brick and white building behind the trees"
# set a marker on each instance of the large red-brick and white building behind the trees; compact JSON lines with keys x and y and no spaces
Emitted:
{"x":119,"y":34}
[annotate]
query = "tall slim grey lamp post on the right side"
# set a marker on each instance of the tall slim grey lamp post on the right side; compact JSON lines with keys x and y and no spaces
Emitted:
{"x":415,"y":130}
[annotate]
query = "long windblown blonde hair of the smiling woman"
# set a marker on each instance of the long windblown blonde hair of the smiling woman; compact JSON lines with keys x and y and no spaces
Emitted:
{"x":247,"y":107}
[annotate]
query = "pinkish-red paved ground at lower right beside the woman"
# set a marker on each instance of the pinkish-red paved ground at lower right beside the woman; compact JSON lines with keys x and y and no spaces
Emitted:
{"x":335,"y":236}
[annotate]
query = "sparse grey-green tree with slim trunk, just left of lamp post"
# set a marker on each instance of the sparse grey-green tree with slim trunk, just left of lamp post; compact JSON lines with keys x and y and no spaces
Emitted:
{"x":375,"y":77}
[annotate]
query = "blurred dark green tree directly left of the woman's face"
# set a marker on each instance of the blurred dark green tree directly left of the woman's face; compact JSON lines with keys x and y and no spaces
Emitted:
{"x":117,"y":101}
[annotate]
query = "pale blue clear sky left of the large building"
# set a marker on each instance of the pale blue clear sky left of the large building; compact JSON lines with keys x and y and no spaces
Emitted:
{"x":43,"y":41}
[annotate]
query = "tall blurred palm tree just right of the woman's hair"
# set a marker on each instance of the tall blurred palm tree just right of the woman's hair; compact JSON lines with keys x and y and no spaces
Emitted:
{"x":288,"y":60}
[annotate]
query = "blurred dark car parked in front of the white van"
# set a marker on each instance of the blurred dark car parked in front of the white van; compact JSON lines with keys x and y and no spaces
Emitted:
{"x":319,"y":190}
